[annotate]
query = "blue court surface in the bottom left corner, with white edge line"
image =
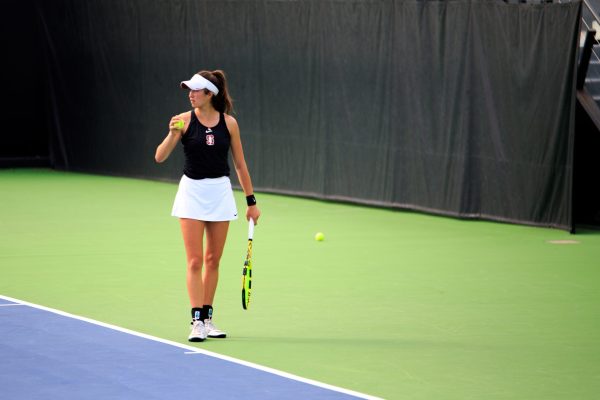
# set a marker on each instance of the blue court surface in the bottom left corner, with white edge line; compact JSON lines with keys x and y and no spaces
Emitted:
{"x":47,"y":354}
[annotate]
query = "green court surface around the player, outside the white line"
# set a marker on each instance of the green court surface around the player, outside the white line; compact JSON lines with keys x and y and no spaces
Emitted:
{"x":394,"y":304}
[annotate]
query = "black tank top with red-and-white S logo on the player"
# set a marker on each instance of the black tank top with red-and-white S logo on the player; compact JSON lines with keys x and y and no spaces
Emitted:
{"x":206,"y":149}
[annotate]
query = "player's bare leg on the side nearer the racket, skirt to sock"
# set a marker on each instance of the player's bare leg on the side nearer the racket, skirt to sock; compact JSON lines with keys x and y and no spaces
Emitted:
{"x":216,"y":234}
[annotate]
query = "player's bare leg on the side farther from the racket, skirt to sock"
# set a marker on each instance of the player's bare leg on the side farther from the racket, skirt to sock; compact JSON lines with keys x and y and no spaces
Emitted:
{"x":193,"y":231}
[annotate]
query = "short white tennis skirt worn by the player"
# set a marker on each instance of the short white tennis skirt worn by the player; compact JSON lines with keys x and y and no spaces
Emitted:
{"x":208,"y":199}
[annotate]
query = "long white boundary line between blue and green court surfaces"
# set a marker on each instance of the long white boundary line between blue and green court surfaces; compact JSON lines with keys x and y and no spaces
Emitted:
{"x":195,"y":350}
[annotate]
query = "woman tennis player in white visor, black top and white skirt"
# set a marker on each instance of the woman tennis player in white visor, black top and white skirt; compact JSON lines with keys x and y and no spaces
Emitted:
{"x":204,"y":202}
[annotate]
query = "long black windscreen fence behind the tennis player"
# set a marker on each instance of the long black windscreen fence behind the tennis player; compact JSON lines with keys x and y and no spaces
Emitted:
{"x":462,"y":108}
